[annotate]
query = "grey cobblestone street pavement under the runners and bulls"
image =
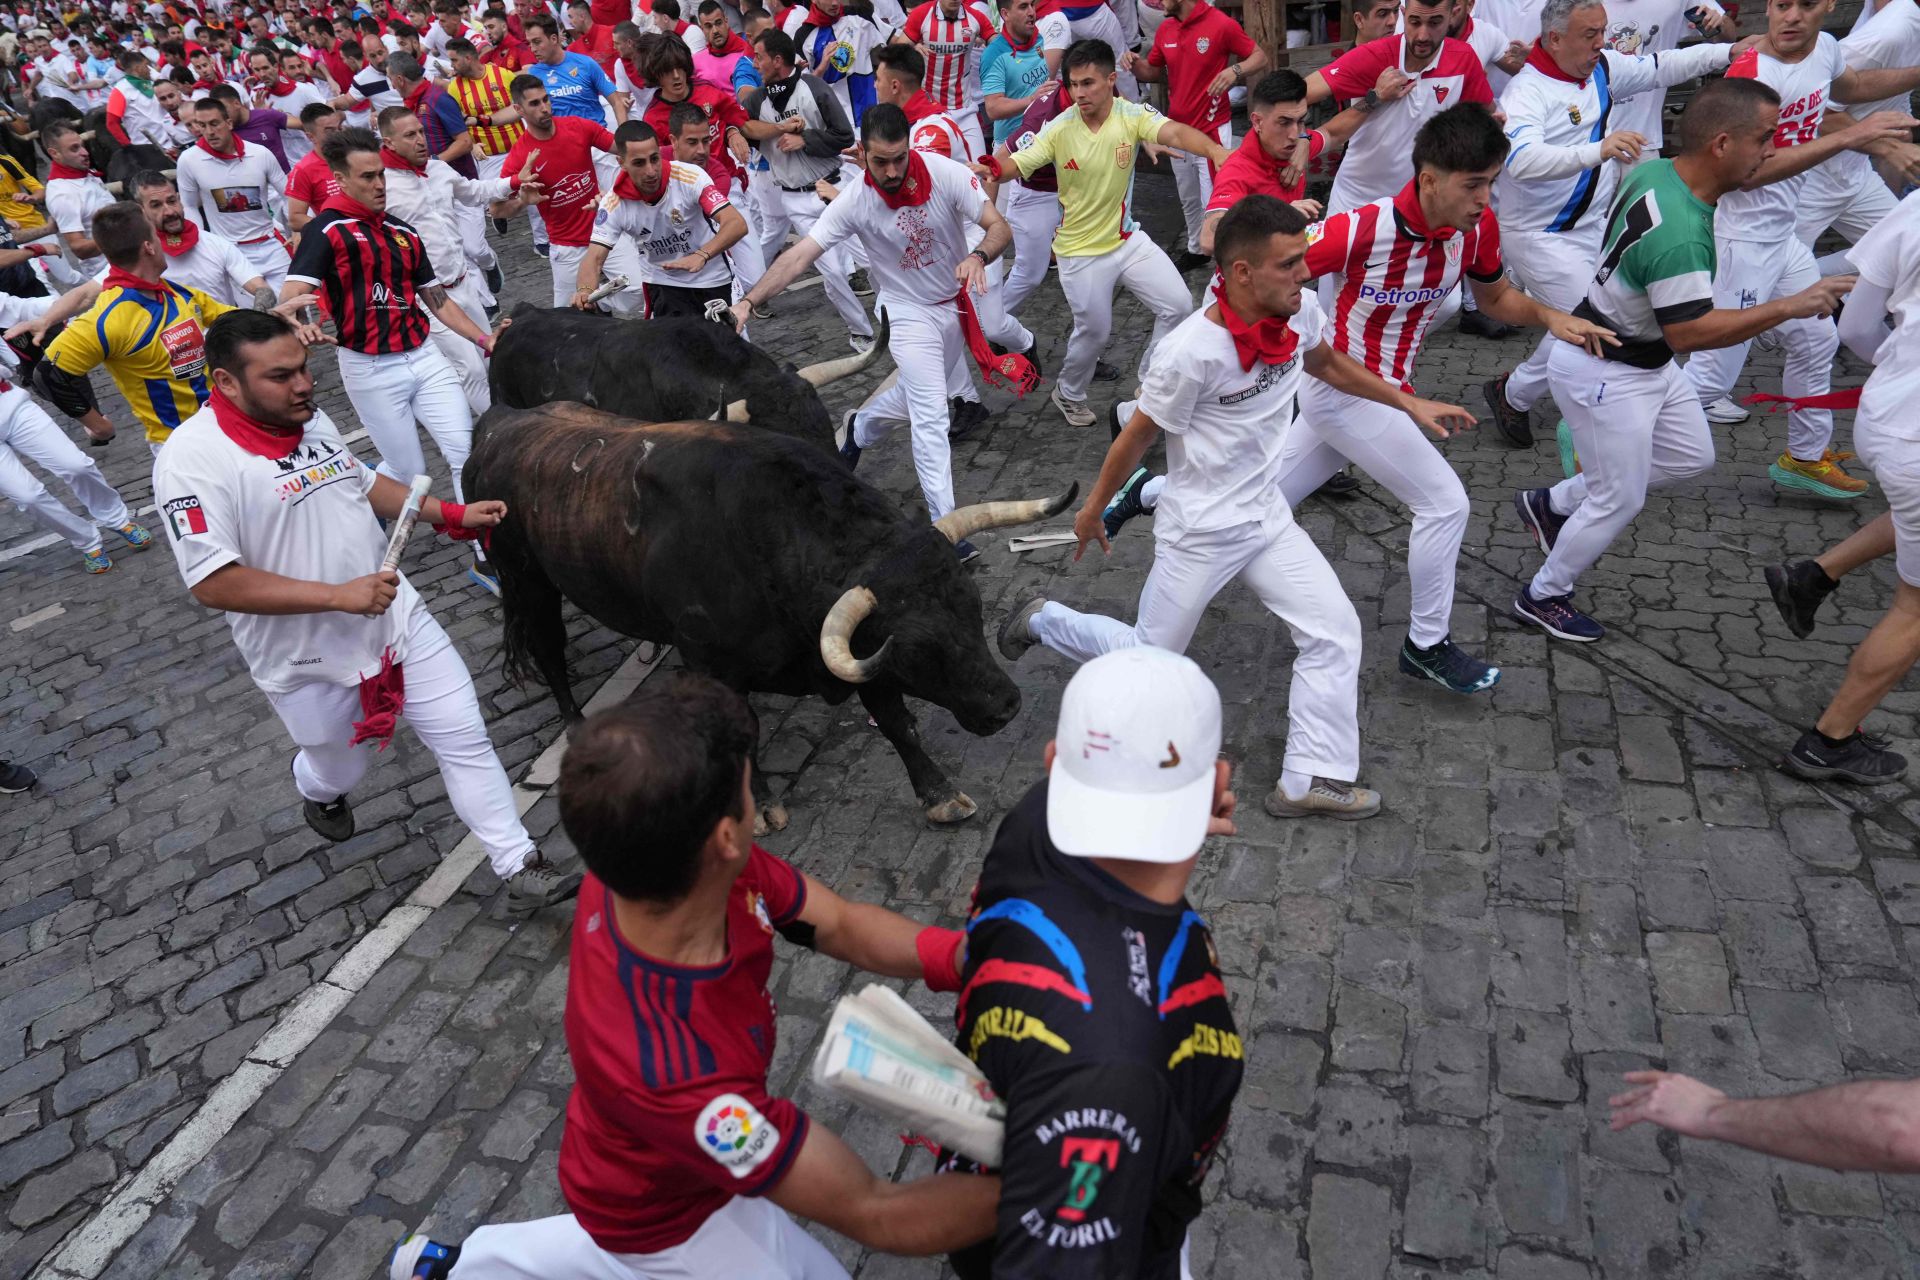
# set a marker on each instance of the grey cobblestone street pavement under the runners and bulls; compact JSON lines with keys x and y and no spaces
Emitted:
{"x":1591,"y":870}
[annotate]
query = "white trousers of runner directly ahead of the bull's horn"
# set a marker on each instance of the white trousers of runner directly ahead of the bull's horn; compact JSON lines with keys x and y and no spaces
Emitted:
{"x":1282,"y":565}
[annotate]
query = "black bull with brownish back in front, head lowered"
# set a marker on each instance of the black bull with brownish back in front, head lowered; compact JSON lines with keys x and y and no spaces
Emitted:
{"x":765,"y":563}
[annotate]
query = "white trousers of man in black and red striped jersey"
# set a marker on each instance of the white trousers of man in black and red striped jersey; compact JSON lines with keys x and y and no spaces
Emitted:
{"x":393,"y":392}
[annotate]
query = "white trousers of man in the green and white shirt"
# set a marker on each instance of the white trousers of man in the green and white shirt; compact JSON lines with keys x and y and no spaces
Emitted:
{"x":1635,"y":429}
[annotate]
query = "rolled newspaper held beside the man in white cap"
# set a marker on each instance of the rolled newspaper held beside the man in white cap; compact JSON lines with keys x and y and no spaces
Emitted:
{"x":882,"y":1055}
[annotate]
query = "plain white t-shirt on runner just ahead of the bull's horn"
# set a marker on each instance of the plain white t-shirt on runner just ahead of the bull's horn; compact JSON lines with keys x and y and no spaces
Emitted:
{"x":1226,"y":425}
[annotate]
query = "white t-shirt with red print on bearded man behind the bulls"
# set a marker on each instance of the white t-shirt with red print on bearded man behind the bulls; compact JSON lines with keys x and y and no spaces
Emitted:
{"x":911,"y":250}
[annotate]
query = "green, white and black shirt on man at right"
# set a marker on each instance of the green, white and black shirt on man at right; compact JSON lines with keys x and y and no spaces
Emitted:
{"x":1658,"y":266}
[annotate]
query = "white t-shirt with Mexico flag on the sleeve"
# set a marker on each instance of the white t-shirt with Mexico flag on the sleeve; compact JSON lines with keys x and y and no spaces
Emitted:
{"x":302,"y":517}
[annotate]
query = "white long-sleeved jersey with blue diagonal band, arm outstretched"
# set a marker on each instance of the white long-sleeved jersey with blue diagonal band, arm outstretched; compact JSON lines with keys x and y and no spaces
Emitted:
{"x":1554,"y":178}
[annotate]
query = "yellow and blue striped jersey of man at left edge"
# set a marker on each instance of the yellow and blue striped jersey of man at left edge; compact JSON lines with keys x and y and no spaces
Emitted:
{"x":155,"y":346}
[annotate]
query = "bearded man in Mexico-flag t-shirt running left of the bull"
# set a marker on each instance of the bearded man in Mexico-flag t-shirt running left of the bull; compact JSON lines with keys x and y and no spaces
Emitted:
{"x":272,"y":521}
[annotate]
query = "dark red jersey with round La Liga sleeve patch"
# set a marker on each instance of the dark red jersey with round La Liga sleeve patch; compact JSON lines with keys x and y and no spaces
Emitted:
{"x":669,"y":1116}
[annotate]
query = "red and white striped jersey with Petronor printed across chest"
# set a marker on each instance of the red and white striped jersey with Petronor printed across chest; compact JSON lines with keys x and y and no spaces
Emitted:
{"x":1395,"y":273}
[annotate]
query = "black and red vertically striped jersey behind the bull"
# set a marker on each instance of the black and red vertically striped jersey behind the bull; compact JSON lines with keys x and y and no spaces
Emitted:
{"x":370,"y":275}
